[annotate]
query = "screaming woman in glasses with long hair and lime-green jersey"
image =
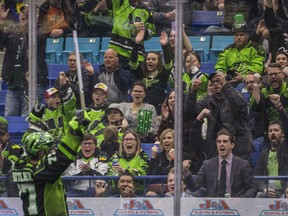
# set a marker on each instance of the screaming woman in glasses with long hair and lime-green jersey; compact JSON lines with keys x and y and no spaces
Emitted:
{"x":131,"y":157}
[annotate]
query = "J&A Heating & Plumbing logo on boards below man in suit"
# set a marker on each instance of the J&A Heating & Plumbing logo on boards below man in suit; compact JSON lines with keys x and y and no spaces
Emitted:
{"x":214,"y":207}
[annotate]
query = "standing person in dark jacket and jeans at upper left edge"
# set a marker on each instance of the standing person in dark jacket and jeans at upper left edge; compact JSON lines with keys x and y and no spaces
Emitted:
{"x":14,"y":38}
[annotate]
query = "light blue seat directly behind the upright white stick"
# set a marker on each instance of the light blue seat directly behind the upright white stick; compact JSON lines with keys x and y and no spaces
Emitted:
{"x":88,"y":47}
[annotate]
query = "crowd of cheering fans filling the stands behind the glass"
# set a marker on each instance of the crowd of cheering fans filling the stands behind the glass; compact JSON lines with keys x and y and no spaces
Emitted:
{"x":228,"y":115}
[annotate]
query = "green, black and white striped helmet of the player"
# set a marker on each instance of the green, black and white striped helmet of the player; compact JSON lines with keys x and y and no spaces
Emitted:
{"x":37,"y":141}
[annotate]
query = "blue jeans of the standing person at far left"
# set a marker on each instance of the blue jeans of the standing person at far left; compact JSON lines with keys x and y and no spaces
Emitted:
{"x":16,"y":103}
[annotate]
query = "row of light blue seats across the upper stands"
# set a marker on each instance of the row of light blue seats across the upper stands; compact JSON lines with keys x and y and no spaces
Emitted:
{"x":92,"y":49}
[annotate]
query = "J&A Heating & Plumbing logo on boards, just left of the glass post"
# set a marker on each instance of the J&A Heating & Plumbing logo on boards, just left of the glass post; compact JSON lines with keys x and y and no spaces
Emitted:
{"x":137,"y":207}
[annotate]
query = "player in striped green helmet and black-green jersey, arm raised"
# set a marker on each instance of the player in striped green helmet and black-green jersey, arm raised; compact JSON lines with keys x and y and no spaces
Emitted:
{"x":42,"y":167}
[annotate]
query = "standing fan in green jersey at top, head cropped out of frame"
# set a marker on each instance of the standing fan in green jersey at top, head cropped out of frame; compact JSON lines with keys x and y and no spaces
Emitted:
{"x":130,"y":17}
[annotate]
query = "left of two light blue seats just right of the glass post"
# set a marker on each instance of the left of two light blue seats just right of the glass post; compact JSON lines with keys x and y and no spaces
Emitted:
{"x":201,"y":45}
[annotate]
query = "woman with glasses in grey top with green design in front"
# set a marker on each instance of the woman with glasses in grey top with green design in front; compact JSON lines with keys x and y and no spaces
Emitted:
{"x":139,"y":115}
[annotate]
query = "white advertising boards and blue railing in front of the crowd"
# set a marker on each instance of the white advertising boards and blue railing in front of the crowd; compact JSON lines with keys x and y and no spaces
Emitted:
{"x":160,"y":206}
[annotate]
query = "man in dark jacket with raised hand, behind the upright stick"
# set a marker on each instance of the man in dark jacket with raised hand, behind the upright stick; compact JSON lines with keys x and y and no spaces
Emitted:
{"x":70,"y":78}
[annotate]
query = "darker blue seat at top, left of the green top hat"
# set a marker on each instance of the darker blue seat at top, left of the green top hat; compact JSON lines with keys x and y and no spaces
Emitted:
{"x":202,"y":19}
